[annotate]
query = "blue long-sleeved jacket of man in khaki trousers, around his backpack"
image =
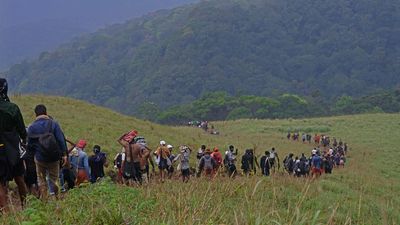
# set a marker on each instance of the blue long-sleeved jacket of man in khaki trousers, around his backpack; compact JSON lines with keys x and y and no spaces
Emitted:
{"x":40,"y":126}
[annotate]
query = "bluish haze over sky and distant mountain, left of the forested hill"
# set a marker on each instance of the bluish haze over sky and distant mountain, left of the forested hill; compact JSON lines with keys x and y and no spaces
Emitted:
{"x":30,"y":27}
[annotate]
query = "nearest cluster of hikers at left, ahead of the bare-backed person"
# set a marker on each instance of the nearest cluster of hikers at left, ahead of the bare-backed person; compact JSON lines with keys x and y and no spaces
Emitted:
{"x":37,"y":158}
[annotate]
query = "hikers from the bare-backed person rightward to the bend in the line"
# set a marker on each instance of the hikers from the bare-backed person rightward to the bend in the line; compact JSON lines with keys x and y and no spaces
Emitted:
{"x":134,"y":161}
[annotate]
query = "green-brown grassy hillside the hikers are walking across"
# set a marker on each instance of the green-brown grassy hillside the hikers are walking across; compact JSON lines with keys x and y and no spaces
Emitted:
{"x":365,"y":192}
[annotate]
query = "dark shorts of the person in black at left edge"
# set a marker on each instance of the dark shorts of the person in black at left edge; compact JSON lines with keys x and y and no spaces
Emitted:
{"x":8,"y":172}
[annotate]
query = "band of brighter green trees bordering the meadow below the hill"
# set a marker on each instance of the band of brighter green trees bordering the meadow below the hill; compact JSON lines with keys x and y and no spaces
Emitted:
{"x":222,"y":106}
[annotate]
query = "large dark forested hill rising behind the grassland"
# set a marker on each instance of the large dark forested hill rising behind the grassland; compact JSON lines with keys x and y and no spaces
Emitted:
{"x":253,"y":47}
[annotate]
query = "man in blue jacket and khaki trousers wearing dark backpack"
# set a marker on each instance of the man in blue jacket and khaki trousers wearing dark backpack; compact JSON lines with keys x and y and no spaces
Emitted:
{"x":46,"y":140}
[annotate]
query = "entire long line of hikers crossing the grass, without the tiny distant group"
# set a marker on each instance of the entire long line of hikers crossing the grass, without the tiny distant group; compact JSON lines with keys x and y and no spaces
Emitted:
{"x":39,"y":160}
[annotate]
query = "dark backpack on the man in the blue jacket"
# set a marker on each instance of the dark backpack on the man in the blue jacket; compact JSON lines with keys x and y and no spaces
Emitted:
{"x":49,"y":148}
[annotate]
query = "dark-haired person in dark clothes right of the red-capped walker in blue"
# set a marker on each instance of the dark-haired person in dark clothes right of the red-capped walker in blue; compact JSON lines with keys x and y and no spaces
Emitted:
{"x":97,"y":162}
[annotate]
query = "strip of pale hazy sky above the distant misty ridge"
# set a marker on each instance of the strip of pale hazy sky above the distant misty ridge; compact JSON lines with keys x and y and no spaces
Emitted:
{"x":87,"y":12}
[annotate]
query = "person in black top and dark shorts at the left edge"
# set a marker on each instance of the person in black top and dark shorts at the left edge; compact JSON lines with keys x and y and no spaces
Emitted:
{"x":12,"y":132}
